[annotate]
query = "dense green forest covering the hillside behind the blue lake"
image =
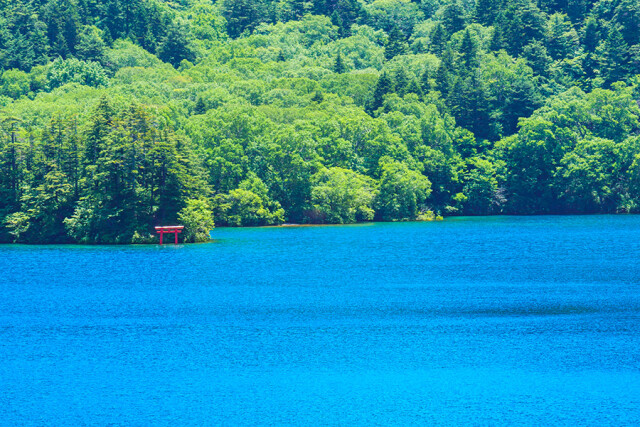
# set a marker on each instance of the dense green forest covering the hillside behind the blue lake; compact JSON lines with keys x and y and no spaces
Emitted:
{"x":118,"y":115}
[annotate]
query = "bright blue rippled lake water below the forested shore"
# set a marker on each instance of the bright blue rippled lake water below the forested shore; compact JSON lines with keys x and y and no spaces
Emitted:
{"x":527,"y":320}
